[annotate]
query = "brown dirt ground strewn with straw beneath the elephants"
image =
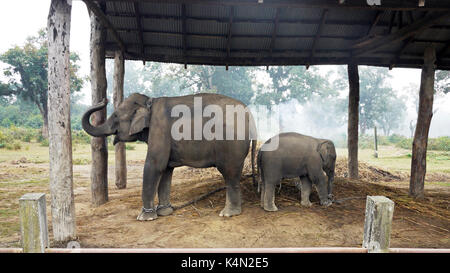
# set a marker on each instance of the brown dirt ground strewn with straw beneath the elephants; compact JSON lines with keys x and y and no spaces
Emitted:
{"x":424,"y":224}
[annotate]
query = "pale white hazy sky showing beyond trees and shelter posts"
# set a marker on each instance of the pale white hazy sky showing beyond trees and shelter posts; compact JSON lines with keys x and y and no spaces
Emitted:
{"x":22,"y":18}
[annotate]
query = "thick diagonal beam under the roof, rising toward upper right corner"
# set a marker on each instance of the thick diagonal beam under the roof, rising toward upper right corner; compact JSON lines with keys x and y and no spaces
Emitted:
{"x":403,"y":33}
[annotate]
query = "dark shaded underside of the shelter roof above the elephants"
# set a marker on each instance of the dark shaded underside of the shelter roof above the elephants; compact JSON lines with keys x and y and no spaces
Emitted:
{"x":275,"y":32}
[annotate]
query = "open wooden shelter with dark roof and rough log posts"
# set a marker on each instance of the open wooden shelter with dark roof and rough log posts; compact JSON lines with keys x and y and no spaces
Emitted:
{"x":408,"y":33}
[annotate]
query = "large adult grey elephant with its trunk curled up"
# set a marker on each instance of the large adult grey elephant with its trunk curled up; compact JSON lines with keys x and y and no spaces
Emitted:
{"x":176,"y":131}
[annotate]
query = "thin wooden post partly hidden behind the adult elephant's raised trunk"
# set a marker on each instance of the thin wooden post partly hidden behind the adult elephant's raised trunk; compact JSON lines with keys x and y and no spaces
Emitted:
{"x":121,"y":161}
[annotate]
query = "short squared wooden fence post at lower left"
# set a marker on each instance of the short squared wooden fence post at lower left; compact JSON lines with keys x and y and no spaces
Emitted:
{"x":33,"y":223}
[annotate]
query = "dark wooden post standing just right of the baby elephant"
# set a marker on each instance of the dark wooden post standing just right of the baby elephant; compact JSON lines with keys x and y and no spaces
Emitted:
{"x":353,"y":120}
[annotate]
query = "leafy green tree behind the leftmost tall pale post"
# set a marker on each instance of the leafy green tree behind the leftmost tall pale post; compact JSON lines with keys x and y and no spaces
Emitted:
{"x":27,"y":74}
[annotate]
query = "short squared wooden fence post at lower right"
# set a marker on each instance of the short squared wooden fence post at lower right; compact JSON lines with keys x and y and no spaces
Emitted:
{"x":378,"y":223}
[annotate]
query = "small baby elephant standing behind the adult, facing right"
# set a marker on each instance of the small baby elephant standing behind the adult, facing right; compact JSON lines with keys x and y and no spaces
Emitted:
{"x":297,"y":156}
